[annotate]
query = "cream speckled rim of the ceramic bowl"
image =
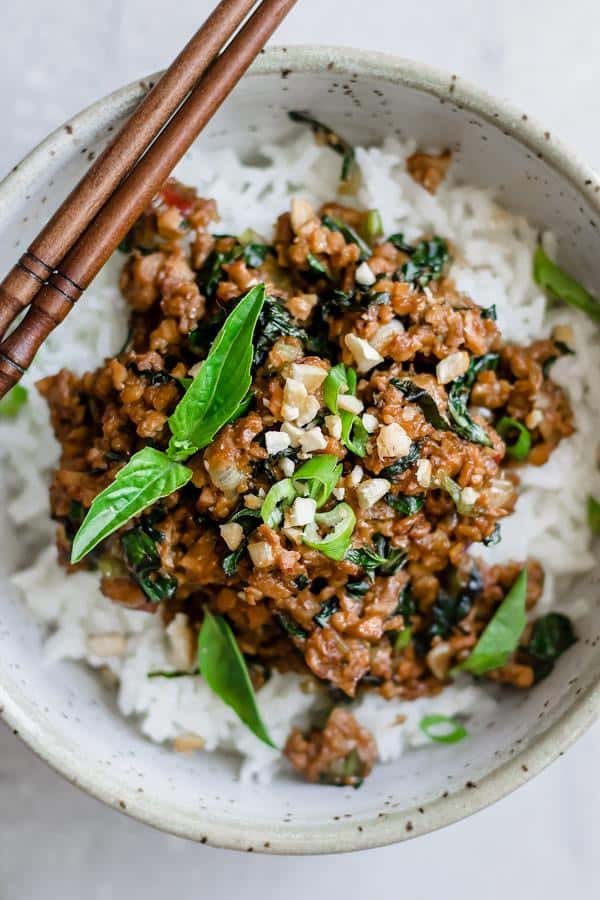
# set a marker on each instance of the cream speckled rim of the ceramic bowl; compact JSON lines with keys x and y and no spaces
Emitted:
{"x":343,"y":836}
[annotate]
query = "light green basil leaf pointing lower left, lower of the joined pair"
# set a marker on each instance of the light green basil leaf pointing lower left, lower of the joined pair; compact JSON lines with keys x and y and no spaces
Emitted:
{"x":148,"y":476}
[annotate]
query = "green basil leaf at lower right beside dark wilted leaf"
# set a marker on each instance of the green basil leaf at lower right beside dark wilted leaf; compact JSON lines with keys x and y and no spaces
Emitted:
{"x":503,"y":632}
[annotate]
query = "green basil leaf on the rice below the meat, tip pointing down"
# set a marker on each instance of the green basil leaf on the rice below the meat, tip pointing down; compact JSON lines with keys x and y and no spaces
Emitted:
{"x":224,"y":669}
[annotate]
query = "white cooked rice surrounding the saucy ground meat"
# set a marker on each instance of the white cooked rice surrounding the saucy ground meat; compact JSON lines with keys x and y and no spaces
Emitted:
{"x":493,"y":265}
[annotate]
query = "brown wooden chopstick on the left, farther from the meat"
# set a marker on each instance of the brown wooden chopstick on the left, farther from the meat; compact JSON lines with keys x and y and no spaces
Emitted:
{"x":47,"y":250}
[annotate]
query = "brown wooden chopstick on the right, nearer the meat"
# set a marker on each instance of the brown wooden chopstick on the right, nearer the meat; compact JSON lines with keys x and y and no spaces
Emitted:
{"x":89,"y":253}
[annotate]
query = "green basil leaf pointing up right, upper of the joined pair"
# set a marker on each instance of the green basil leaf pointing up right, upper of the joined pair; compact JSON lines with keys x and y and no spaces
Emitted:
{"x":223,"y":381}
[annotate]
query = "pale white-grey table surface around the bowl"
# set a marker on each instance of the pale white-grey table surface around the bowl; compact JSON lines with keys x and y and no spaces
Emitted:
{"x":542,"y":842}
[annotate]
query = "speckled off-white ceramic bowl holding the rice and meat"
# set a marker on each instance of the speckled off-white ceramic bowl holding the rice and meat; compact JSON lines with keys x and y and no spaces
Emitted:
{"x":62,"y":713}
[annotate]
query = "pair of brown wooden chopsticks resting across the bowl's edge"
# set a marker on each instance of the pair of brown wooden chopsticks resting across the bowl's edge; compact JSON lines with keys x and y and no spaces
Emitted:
{"x":84,"y":232}
